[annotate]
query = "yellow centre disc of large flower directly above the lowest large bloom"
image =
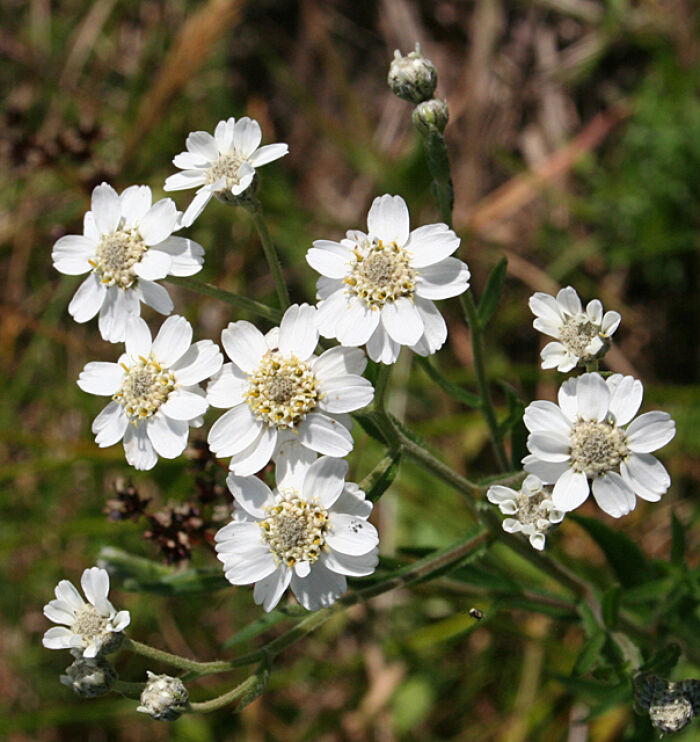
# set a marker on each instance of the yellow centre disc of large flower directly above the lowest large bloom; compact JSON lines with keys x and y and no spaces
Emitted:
{"x":282,"y":390}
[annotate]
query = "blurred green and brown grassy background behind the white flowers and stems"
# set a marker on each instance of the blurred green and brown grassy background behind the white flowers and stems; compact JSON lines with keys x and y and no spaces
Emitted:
{"x":575,"y":140}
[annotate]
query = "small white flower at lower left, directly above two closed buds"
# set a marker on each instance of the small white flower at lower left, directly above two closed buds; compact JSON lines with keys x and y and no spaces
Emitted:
{"x":89,"y":628}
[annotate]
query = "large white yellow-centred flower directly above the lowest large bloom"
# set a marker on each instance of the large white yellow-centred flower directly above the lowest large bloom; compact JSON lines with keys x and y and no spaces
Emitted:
{"x":278,"y":390}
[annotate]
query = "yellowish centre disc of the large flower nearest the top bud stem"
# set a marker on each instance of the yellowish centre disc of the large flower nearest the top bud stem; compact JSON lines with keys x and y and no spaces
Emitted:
{"x":382,"y":273}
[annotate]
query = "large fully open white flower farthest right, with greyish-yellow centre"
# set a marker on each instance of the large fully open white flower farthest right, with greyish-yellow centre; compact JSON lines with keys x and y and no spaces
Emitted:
{"x":581,"y":444}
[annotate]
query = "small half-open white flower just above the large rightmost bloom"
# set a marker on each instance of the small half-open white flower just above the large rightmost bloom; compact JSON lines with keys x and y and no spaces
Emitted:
{"x":581,"y":336}
